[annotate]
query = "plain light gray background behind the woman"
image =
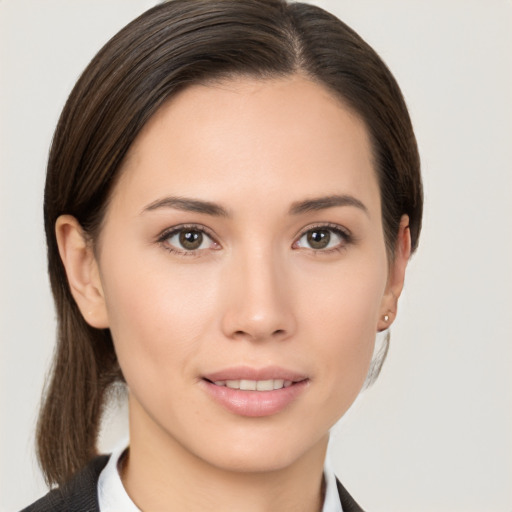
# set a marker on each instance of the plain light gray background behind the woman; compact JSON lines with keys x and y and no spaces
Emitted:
{"x":435,"y":432}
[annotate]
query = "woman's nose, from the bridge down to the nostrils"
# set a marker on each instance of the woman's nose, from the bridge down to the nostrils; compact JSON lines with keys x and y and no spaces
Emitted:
{"x":258,"y":299}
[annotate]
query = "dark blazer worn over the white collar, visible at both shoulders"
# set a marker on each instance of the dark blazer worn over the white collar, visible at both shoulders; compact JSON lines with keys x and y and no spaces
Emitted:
{"x":80,"y":493}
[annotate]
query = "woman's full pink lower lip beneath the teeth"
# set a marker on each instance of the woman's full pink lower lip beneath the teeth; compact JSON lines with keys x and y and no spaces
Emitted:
{"x":255,"y":403}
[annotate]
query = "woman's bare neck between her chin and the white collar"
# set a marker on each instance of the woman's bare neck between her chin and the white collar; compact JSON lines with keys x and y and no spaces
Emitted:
{"x":160,"y":474}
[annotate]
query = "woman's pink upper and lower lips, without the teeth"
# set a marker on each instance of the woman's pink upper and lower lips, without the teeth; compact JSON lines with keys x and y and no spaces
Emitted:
{"x":255,"y":403}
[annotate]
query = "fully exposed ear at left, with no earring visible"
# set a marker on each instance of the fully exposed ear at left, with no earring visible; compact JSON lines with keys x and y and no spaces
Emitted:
{"x":82,"y":271}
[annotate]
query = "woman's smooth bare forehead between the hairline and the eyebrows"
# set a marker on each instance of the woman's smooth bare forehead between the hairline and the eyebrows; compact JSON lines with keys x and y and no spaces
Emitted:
{"x":264,"y":139}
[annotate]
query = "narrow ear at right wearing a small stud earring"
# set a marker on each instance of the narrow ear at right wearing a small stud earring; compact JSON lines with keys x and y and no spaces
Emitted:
{"x":396,"y":275}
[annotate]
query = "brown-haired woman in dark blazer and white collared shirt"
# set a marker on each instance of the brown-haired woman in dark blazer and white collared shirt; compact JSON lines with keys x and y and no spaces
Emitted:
{"x":232,"y":196}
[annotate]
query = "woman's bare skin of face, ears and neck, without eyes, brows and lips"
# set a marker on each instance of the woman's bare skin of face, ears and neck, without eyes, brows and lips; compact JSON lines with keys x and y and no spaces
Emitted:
{"x":255,"y":293}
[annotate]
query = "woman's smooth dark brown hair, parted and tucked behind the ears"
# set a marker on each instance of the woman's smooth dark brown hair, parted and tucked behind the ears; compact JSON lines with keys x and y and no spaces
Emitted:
{"x":167,"y":48}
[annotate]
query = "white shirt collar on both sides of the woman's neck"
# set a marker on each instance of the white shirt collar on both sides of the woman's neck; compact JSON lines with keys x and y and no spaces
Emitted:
{"x":113,"y":496}
